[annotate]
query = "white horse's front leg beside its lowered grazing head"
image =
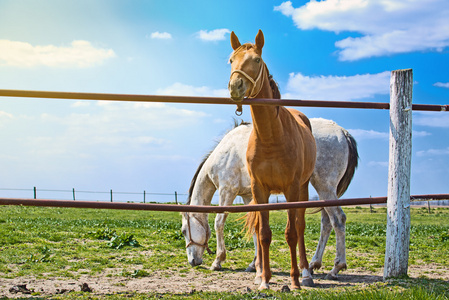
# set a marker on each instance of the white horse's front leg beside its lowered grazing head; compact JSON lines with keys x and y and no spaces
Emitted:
{"x":226,"y":199}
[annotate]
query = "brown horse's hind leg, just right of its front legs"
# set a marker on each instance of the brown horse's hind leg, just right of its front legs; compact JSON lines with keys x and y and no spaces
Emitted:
{"x":301,"y":225}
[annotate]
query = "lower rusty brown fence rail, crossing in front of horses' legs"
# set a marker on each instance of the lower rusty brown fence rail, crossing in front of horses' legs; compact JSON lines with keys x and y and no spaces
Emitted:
{"x":209,"y":209}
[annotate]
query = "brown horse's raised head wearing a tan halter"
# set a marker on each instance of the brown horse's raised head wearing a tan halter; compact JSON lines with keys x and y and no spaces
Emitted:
{"x":247,"y":68}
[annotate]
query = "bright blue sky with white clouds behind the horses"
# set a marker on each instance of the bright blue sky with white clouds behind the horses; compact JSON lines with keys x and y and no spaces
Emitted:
{"x":325,"y":50}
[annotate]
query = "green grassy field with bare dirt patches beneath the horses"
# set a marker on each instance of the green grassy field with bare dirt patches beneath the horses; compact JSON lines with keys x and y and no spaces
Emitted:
{"x":52,"y":252}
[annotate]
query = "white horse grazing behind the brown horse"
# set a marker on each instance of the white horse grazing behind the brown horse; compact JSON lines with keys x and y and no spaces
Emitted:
{"x":225,"y":169}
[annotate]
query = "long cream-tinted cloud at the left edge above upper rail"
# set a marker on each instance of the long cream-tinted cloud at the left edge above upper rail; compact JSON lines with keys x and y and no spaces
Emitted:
{"x":80,"y":54}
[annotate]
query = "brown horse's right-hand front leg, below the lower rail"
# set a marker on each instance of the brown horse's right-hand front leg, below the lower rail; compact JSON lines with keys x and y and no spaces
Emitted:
{"x":291,"y":237}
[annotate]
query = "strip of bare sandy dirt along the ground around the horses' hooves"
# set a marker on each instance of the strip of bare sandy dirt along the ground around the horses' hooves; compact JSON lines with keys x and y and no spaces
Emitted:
{"x":170,"y":281}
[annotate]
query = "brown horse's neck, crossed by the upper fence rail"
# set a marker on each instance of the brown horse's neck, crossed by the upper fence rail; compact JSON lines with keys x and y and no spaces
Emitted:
{"x":266,"y":123}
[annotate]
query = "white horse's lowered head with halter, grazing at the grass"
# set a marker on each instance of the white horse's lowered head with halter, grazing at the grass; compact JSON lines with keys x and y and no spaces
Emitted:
{"x":196,"y":231}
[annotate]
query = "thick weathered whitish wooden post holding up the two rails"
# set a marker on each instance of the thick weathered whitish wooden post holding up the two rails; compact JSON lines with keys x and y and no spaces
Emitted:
{"x":398,"y":203}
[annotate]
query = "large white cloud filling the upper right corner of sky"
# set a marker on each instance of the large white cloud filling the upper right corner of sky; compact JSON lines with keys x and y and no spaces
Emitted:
{"x":387,"y":26}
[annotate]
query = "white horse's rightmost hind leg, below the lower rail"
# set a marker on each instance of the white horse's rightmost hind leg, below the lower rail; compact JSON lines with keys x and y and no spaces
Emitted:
{"x":338,"y":220}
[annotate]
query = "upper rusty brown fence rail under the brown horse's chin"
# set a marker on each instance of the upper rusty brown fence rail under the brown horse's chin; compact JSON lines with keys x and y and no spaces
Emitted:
{"x":210,"y":100}
